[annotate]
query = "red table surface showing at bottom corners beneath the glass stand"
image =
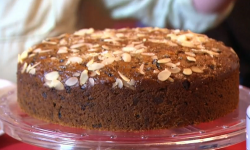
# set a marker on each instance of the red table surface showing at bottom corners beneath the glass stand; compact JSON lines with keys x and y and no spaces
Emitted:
{"x":8,"y":143}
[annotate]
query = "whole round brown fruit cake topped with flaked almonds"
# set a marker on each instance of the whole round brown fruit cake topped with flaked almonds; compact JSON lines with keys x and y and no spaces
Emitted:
{"x":128,"y":79}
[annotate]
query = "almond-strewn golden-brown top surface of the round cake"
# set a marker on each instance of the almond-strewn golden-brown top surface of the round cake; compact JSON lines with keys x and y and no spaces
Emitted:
{"x":125,"y":57}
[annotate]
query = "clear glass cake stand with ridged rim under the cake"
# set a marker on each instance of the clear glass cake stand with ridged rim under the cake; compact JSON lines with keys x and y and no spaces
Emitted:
{"x":220,"y":133}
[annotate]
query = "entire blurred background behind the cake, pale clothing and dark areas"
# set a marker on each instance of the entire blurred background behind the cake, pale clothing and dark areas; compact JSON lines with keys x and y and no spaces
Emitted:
{"x":25,"y":24}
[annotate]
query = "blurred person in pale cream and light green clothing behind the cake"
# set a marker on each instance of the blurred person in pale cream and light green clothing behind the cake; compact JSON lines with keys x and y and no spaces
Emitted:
{"x":25,"y":23}
